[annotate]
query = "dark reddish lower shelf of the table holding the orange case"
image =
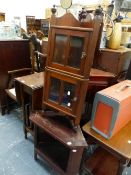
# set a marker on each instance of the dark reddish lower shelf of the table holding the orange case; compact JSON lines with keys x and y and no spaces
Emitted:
{"x":100,"y":162}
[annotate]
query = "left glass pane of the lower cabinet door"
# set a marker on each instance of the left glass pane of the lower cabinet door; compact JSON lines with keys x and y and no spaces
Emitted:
{"x":54,"y":90}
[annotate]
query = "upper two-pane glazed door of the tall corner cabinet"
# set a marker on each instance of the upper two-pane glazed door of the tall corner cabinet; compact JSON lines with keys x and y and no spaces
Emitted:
{"x":68,"y":50}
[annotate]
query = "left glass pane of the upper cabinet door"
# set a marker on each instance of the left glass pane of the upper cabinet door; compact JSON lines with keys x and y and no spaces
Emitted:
{"x":60,"y":47}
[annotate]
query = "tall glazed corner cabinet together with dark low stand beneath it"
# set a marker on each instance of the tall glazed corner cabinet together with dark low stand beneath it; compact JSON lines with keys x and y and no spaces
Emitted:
{"x":57,"y":134}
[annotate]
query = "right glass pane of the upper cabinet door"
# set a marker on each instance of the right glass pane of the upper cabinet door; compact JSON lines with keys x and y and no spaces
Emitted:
{"x":76,"y":48}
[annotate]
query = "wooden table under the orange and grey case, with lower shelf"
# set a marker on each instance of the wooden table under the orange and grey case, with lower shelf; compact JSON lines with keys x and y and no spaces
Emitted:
{"x":111,"y":156}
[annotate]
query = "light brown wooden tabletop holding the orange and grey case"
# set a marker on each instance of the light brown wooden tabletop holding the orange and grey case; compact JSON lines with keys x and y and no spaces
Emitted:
{"x":120,"y":143}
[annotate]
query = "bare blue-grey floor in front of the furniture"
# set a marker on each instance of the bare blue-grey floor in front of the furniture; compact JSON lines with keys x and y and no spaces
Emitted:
{"x":17,"y":153}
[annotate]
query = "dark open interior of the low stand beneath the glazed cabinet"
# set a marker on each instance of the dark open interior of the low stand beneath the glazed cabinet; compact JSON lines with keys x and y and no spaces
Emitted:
{"x":59,"y":157}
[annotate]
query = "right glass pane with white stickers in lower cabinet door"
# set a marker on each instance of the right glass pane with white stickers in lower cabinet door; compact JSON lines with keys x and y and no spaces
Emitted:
{"x":68,"y":94}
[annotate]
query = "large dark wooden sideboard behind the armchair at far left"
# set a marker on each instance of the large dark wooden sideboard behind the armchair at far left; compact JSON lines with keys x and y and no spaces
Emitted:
{"x":14,"y":54}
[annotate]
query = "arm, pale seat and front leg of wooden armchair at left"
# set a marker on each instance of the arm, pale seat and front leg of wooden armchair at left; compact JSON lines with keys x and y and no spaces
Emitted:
{"x":11,"y":94}
